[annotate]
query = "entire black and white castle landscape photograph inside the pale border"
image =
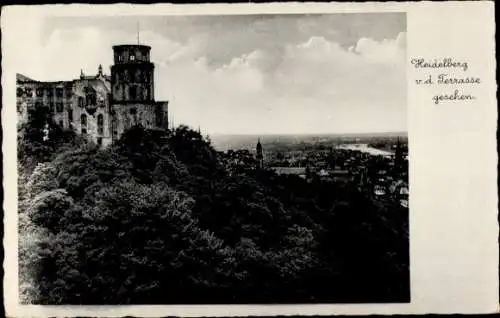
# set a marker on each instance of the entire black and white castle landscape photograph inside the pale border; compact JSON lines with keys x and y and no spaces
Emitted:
{"x":214,"y":159}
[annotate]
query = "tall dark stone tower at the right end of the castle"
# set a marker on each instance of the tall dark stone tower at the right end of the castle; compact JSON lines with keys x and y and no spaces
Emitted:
{"x":132,"y":91}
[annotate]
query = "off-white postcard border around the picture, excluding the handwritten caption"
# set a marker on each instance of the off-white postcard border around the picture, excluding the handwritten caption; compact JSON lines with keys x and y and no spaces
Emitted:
{"x":453,"y":172}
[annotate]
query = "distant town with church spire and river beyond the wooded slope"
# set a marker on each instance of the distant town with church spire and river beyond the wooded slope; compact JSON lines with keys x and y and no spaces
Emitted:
{"x":379,"y":169}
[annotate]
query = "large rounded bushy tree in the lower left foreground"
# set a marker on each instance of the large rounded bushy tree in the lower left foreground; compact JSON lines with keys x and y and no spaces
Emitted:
{"x":154,"y":250}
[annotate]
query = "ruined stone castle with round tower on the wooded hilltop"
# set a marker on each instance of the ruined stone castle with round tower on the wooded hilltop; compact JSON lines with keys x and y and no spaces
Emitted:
{"x":100,"y":107}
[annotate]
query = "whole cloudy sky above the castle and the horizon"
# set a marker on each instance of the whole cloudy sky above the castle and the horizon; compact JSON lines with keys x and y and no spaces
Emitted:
{"x":247,"y":74}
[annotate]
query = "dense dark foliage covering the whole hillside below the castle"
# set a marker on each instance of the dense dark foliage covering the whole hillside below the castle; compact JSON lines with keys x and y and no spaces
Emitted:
{"x":157,"y":218}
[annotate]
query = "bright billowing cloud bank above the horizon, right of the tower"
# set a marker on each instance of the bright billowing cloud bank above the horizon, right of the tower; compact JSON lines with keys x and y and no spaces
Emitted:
{"x":318,"y":86}
